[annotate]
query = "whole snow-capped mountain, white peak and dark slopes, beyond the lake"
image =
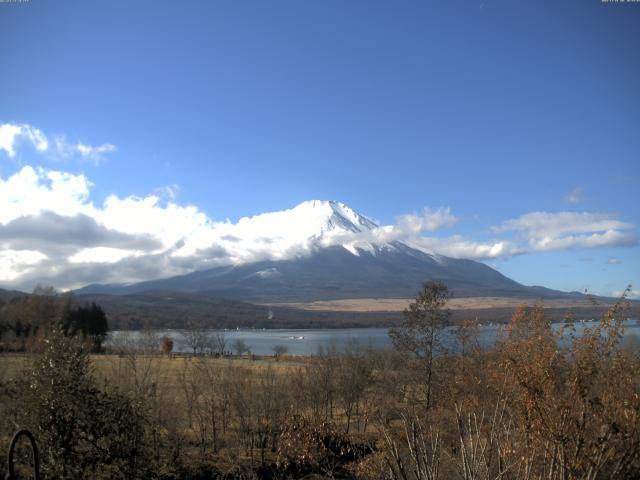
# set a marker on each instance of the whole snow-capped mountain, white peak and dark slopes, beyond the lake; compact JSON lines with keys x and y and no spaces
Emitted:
{"x":324,"y":250}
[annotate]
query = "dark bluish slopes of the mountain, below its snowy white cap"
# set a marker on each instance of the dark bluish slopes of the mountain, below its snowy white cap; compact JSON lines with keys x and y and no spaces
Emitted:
{"x":335,"y":273}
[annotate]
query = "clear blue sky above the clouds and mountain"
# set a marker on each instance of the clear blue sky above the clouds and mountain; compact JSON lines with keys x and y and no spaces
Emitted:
{"x":492,"y":109}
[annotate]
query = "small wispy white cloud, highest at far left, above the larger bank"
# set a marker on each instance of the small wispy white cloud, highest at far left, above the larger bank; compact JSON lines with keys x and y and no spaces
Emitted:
{"x":13,"y":134}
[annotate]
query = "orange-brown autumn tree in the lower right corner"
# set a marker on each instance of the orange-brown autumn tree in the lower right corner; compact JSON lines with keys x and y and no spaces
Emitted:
{"x":577,"y":406}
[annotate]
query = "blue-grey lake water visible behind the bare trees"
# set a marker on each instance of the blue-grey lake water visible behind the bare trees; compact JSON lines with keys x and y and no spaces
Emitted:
{"x":309,"y":341}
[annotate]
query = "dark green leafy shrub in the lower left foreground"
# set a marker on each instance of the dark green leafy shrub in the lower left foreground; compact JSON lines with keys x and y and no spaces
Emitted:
{"x":82,"y":432}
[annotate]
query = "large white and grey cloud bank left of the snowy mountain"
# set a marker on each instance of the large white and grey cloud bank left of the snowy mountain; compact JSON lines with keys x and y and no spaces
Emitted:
{"x":73,"y":230}
